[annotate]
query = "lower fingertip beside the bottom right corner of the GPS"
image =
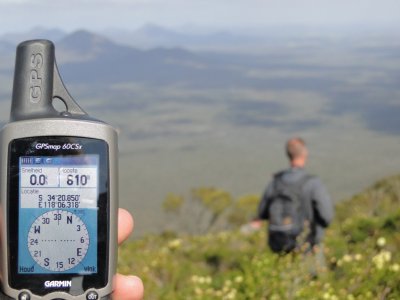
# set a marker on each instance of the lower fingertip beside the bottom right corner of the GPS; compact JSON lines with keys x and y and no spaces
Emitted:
{"x":128,"y":288}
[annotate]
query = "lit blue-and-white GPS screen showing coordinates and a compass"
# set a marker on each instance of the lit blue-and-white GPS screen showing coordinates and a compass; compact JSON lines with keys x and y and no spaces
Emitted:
{"x":58,"y":214}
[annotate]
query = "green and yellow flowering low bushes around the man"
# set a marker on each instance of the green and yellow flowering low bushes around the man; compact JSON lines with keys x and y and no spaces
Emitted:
{"x":362,"y":250}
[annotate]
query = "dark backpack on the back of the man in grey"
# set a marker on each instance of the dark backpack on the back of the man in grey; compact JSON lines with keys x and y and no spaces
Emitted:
{"x":286,"y":214}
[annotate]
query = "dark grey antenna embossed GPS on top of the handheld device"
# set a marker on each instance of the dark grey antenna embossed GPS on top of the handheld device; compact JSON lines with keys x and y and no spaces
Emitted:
{"x":37,"y":82}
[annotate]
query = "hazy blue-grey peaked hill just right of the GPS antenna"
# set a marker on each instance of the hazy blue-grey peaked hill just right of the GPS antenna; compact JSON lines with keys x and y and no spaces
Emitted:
{"x":91,"y":58}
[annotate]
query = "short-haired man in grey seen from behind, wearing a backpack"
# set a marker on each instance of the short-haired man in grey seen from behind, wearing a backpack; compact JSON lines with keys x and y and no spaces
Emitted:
{"x":297,"y":206}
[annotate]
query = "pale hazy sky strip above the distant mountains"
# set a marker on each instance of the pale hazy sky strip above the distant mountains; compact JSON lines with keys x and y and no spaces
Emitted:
{"x":97,"y":15}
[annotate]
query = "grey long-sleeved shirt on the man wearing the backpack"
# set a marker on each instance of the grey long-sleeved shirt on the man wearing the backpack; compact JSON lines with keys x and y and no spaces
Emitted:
{"x":318,"y":204}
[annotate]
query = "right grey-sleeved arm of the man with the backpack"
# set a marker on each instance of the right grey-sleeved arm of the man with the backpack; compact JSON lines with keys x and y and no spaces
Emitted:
{"x":322,"y":204}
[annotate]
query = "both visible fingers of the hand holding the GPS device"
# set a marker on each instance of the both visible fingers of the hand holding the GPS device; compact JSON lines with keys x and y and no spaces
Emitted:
{"x":126,"y":287}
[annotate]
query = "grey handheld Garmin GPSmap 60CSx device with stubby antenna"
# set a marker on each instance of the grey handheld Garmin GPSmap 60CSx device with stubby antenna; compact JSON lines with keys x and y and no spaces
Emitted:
{"x":58,"y":214}
